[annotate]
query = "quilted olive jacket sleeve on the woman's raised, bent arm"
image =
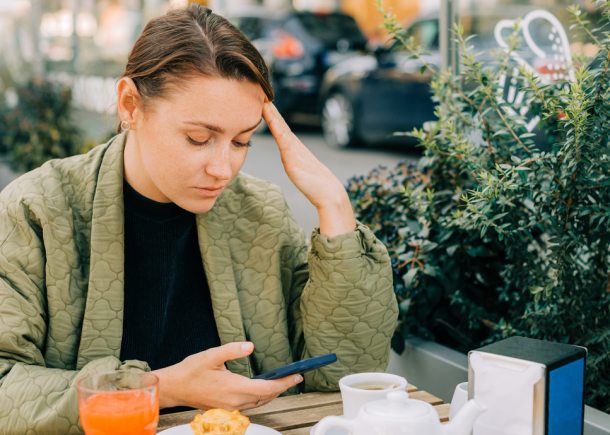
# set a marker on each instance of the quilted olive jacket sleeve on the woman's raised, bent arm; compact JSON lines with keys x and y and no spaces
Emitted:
{"x":342,"y":302}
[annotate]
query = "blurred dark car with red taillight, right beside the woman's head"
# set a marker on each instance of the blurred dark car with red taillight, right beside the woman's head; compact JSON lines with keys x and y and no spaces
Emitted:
{"x":299,"y":47}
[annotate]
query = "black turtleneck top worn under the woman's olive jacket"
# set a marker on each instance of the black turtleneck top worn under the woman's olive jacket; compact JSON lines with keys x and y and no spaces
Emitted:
{"x":167,"y":307}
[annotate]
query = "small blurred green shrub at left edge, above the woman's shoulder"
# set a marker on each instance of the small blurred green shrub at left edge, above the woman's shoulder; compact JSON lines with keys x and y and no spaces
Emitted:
{"x":40,"y":128}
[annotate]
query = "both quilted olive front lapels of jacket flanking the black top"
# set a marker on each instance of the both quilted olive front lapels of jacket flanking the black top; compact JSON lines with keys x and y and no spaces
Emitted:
{"x":102,"y":329}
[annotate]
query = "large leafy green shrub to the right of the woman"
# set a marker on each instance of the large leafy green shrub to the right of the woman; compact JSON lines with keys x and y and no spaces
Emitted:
{"x":491,"y":237}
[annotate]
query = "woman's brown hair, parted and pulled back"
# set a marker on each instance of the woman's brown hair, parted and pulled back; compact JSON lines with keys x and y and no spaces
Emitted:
{"x":187,"y":42}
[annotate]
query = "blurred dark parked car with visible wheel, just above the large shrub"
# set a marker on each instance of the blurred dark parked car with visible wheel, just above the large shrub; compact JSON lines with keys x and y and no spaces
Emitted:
{"x":368,"y":98}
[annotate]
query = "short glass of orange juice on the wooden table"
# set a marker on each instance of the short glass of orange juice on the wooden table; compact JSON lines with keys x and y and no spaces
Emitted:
{"x":120,"y":402}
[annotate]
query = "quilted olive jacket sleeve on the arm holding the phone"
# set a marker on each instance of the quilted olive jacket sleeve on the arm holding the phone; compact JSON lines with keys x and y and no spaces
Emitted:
{"x":34,"y":398}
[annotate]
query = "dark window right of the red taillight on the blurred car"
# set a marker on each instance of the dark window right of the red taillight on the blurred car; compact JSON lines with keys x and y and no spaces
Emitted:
{"x":331,"y":28}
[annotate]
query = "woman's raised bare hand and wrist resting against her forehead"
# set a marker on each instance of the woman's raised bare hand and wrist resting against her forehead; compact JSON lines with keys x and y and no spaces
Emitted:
{"x":311,"y":177}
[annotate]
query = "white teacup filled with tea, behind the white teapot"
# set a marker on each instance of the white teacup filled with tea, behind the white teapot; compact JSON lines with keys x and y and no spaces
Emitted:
{"x":354,"y":398}
